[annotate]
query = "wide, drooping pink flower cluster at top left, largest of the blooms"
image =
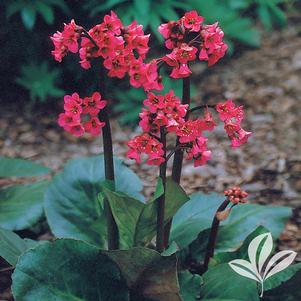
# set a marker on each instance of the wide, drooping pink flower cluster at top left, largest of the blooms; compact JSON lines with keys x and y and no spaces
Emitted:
{"x":123,"y":49}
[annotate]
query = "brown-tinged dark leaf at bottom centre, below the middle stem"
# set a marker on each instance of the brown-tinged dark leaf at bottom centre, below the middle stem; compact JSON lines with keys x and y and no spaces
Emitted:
{"x":149,"y":275}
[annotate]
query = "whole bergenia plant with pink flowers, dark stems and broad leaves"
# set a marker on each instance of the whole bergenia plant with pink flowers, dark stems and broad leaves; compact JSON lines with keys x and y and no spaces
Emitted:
{"x":113,"y":244}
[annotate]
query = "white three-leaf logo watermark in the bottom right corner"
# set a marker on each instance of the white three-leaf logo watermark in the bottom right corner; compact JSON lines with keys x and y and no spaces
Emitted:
{"x":259,"y":268}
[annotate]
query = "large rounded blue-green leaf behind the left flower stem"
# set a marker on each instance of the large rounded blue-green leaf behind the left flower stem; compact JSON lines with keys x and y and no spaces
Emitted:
{"x":71,"y":203}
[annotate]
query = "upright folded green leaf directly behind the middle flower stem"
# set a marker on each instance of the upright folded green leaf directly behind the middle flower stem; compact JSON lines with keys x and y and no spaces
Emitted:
{"x":146,"y":226}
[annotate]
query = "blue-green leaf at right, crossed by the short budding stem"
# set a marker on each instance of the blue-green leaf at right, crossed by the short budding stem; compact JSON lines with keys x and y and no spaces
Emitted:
{"x":197,"y":215}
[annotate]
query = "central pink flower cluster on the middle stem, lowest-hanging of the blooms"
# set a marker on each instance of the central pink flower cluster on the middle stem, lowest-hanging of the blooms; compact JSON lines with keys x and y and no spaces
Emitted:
{"x":167,"y":111}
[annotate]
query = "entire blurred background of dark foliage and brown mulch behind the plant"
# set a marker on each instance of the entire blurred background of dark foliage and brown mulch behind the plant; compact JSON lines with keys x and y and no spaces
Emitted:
{"x":262,"y":71}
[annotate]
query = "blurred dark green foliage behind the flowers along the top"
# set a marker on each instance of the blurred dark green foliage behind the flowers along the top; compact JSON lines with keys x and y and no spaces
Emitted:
{"x":26,"y":24}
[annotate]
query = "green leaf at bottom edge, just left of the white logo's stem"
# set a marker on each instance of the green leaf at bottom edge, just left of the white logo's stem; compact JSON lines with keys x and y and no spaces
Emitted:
{"x":221,"y":282}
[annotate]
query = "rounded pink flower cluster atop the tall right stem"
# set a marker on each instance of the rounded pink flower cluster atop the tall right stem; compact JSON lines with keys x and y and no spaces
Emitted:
{"x":182,"y":35}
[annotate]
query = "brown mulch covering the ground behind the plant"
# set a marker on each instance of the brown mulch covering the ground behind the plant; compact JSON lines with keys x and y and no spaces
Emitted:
{"x":266,"y":80}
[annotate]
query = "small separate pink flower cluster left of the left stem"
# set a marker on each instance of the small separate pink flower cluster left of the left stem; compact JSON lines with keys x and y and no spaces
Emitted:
{"x":80,"y":115}
